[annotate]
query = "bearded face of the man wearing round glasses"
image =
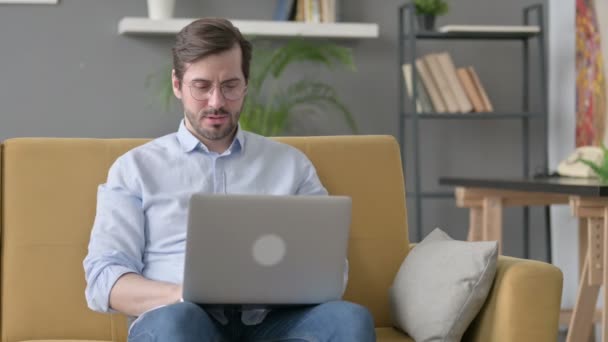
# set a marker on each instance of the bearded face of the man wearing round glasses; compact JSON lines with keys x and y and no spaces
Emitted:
{"x":207,"y":92}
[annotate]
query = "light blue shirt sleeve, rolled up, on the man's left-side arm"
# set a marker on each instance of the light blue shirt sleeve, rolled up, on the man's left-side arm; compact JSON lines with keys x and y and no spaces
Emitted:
{"x":118,"y":236}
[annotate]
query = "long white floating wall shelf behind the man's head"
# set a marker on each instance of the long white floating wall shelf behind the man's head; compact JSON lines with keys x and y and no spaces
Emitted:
{"x":145,"y":26}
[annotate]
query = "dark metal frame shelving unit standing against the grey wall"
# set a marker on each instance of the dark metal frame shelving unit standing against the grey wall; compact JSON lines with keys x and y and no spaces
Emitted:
{"x":408,"y":38}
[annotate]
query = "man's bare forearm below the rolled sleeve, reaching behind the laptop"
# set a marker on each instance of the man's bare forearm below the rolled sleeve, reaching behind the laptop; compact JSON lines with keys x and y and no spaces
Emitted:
{"x":133,"y":294}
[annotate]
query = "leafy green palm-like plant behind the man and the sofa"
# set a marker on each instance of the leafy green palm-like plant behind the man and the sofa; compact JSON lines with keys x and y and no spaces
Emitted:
{"x":270,"y":104}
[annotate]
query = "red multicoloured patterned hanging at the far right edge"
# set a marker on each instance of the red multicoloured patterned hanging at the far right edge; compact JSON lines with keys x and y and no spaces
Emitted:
{"x":590,"y":80}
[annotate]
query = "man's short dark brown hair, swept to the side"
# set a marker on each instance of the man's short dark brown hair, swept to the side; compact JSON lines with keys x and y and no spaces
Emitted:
{"x":208,"y":36}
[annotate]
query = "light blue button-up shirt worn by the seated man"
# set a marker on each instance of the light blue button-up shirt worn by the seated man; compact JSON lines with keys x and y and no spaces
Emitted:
{"x":140,"y":225}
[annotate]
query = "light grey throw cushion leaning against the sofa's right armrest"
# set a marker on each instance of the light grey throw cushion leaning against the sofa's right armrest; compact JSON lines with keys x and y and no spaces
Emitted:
{"x":441,"y":287}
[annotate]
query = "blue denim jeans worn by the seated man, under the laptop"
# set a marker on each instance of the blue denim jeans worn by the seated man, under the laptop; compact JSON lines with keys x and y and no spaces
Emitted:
{"x":332,"y":321}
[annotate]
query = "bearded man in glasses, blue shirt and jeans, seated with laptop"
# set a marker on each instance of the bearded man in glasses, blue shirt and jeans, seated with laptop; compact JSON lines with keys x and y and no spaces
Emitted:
{"x":136,"y":253}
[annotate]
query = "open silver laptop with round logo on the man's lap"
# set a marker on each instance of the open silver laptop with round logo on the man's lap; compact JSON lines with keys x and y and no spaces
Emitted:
{"x":261,"y":249}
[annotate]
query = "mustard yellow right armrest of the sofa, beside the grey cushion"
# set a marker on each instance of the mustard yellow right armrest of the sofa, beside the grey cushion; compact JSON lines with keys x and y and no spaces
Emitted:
{"x":523,"y":304}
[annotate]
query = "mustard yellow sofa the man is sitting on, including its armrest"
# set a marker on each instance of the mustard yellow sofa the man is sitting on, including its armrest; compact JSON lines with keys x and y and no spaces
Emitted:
{"x":48,"y":195}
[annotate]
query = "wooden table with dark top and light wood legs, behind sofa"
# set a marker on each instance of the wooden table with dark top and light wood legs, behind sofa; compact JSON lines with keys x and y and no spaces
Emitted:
{"x":588,"y":199}
